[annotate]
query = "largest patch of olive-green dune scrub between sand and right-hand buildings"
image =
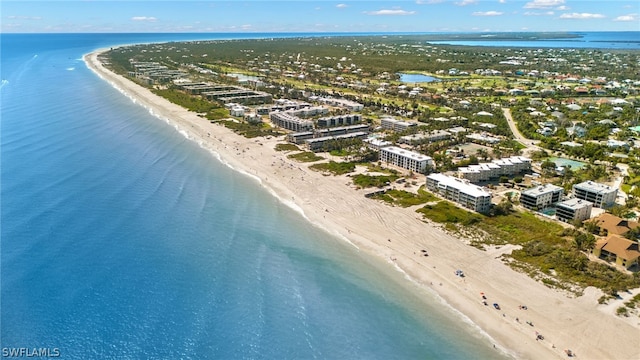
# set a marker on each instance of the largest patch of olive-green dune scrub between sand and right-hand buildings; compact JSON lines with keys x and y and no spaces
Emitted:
{"x":548,"y":252}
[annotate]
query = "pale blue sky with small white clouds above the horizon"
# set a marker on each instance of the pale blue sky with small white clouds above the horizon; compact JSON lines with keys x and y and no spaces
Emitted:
{"x":20,"y":16}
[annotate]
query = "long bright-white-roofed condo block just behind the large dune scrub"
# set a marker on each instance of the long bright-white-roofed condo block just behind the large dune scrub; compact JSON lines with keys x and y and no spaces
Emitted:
{"x":460,"y":191}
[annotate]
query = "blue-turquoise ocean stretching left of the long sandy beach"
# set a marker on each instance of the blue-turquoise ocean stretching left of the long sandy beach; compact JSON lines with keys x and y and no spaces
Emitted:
{"x":121,"y":239}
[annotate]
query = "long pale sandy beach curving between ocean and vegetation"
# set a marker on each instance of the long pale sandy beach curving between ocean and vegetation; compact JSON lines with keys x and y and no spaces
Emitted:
{"x":396,"y":236}
